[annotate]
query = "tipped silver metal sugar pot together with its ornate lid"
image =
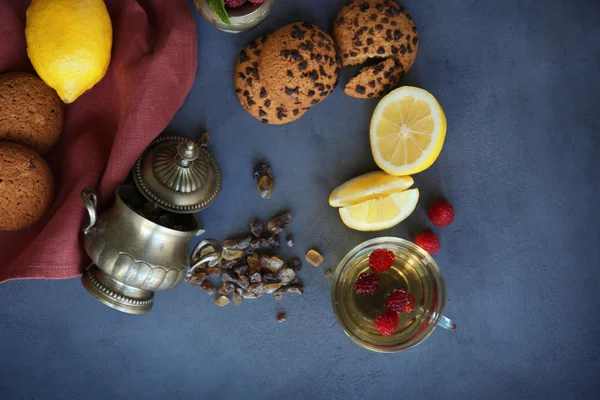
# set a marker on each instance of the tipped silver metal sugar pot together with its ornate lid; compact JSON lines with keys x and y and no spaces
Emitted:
{"x":132,"y":256}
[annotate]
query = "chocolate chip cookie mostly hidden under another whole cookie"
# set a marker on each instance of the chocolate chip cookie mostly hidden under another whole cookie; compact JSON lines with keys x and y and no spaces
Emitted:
{"x":253,"y":96}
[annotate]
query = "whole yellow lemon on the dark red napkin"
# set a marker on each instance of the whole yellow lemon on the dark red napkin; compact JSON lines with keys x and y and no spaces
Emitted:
{"x":69,"y":44}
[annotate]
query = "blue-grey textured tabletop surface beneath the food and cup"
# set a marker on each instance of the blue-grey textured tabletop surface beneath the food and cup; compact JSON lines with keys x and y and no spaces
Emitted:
{"x":519,"y":83}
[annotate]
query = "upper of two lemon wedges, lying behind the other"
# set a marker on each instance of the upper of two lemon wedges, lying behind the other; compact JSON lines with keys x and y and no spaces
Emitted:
{"x":368,"y":186}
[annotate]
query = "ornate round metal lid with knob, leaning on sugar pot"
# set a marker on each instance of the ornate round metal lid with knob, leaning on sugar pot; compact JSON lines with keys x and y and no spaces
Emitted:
{"x":178,"y":174}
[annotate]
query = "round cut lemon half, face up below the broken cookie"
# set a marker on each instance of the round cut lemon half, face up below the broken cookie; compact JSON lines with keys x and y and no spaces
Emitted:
{"x":408,"y":129}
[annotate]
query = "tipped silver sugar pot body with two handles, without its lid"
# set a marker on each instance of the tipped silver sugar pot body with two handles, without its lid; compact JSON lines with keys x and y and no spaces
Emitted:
{"x":134,"y":257}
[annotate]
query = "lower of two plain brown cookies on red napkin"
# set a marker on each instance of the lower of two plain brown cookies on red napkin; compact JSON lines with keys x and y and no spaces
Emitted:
{"x":26,"y":187}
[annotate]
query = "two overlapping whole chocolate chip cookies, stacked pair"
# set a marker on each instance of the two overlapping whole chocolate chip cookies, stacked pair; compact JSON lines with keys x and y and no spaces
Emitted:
{"x":278,"y":77}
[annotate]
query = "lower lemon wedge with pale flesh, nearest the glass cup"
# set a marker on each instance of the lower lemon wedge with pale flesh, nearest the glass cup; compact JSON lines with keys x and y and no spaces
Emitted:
{"x":383,"y":213}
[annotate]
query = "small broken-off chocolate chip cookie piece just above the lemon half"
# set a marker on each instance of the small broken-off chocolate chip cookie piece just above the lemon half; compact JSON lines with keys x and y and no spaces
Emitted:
{"x":376,"y":80}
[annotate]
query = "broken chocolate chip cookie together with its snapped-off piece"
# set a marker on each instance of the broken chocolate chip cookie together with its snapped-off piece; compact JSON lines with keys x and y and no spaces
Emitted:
{"x":376,"y":29}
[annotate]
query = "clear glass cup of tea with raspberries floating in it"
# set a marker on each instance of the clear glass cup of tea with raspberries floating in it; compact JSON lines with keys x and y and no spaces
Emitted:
{"x":414,"y":271}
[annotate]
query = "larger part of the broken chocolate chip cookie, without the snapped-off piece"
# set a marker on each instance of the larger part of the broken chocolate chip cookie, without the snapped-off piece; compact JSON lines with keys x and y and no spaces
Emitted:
{"x":375,"y":29}
